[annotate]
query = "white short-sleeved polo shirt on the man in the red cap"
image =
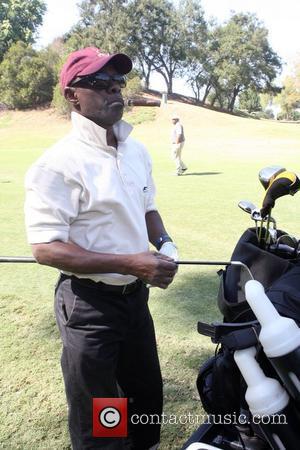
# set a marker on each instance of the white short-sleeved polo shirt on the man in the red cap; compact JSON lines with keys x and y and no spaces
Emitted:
{"x":87,"y":192}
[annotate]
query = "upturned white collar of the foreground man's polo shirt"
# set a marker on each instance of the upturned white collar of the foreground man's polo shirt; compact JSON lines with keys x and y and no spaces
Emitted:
{"x":89,"y":131}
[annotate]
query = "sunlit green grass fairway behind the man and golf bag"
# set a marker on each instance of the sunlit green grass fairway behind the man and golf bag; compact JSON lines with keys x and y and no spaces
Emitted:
{"x":224,"y":154}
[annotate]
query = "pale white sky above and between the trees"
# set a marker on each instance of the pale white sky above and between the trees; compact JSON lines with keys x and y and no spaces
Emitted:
{"x":280,"y":18}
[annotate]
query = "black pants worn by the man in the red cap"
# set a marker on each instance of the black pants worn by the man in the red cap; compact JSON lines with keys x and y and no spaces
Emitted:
{"x":109,"y":350}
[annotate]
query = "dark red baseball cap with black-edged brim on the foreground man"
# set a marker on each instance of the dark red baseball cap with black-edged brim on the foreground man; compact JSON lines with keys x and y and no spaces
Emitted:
{"x":89,"y":60}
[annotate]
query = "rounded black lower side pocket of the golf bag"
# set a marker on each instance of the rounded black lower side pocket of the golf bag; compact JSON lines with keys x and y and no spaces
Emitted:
{"x":218,"y":384}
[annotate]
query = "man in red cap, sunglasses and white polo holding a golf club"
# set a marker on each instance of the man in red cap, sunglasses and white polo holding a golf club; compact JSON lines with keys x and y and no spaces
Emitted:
{"x":90,"y":213}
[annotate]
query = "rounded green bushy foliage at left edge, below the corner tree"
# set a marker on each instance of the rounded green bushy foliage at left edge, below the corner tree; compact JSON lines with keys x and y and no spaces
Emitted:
{"x":25,"y":79}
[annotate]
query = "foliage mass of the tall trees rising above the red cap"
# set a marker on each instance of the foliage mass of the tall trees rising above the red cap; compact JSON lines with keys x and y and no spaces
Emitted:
{"x":155,"y":33}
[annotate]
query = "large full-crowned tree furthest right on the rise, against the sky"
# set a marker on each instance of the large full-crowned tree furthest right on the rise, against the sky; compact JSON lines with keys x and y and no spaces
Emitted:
{"x":242,"y":59}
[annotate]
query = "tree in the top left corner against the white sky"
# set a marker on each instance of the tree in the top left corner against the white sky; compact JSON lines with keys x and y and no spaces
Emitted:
{"x":19,"y":20}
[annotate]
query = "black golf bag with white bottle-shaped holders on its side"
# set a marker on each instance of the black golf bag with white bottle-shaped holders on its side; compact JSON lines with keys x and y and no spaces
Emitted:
{"x":220,"y":384}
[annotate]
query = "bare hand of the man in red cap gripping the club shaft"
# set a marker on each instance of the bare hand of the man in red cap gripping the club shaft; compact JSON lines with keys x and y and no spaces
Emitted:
{"x":154,"y":268}
